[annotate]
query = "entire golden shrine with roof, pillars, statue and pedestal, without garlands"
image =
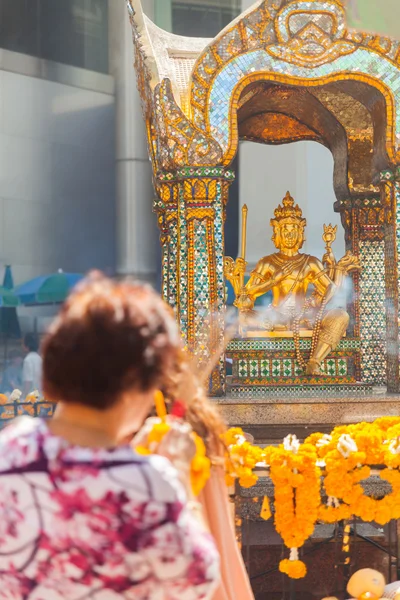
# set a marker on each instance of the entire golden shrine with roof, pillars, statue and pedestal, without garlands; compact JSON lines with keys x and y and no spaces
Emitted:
{"x":283,"y":71}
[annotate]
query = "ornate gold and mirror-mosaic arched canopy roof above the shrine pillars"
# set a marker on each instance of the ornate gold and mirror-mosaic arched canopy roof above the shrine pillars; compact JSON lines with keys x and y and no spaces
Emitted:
{"x":291,"y":67}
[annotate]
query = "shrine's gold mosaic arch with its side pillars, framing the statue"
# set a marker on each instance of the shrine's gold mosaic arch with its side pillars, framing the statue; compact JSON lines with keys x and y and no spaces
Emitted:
{"x":193,"y":134}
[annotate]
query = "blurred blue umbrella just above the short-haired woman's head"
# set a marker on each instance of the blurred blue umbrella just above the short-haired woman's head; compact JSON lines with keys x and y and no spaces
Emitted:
{"x":48,"y":289}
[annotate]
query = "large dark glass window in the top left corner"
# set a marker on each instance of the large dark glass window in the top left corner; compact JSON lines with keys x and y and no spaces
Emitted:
{"x":73,"y":32}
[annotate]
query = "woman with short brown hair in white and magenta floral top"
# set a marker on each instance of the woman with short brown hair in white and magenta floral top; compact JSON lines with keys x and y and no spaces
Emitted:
{"x":83,"y":515}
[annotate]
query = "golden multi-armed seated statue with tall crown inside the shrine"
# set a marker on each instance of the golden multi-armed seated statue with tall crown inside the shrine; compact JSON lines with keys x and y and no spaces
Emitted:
{"x":289,"y":274}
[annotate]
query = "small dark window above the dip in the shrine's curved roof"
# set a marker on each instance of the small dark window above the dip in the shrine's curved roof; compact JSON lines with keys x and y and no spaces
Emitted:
{"x":202,"y":19}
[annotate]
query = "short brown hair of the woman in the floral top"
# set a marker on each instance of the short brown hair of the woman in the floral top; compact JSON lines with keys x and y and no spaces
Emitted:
{"x":109,"y":337}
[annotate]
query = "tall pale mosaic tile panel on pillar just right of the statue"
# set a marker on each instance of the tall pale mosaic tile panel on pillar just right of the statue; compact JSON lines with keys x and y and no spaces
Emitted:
{"x":372,"y":299}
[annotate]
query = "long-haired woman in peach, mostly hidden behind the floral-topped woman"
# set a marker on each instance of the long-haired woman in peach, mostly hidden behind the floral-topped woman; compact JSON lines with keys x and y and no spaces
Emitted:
{"x":184,"y":390}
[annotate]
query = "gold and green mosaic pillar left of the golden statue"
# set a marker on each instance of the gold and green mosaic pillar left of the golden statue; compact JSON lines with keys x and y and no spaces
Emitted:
{"x":191,"y":209}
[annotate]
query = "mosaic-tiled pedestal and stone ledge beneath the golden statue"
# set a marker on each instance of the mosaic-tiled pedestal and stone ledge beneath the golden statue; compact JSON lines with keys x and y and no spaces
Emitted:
{"x":270,"y":397}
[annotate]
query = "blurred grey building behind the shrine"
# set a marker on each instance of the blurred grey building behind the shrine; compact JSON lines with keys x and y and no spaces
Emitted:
{"x":75,"y":180}
